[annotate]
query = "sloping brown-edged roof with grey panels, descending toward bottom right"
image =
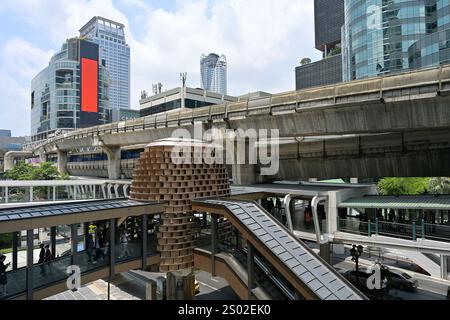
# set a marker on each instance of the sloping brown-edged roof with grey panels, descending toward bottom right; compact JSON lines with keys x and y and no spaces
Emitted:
{"x":309,"y":275}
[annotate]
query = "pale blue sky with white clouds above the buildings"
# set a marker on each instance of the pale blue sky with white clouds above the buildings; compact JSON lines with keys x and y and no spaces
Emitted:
{"x":263,"y":40}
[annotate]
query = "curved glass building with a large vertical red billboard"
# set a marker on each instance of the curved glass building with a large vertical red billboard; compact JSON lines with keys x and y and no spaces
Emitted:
{"x":71,"y":92}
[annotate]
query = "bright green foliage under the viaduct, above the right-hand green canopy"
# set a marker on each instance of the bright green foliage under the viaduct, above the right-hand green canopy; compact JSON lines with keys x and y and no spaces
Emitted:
{"x":403,"y":186}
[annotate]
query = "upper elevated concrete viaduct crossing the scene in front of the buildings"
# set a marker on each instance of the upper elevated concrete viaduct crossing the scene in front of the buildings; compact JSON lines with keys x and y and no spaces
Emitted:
{"x":405,"y":103}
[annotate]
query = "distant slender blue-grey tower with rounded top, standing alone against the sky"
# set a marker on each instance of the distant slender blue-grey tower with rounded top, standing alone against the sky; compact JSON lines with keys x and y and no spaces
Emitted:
{"x":213,"y":70}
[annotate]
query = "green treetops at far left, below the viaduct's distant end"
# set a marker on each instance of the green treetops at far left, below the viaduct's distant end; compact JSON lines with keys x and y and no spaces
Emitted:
{"x":45,"y":171}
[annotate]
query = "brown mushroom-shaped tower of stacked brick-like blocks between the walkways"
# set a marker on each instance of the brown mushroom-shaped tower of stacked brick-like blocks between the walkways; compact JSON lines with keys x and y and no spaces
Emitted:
{"x":164,"y":174}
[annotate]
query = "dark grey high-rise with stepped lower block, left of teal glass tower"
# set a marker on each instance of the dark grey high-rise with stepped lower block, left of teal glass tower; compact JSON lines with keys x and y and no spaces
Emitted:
{"x":328,"y":20}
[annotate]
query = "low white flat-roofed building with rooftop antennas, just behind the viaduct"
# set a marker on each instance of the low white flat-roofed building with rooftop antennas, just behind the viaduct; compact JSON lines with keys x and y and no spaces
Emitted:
{"x":180,"y":98}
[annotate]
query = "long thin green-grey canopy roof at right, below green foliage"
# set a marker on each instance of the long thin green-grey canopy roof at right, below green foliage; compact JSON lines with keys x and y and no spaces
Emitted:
{"x":427,"y":202}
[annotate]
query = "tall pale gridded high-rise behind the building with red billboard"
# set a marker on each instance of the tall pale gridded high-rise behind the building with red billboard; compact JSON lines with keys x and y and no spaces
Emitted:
{"x":115,"y":52}
